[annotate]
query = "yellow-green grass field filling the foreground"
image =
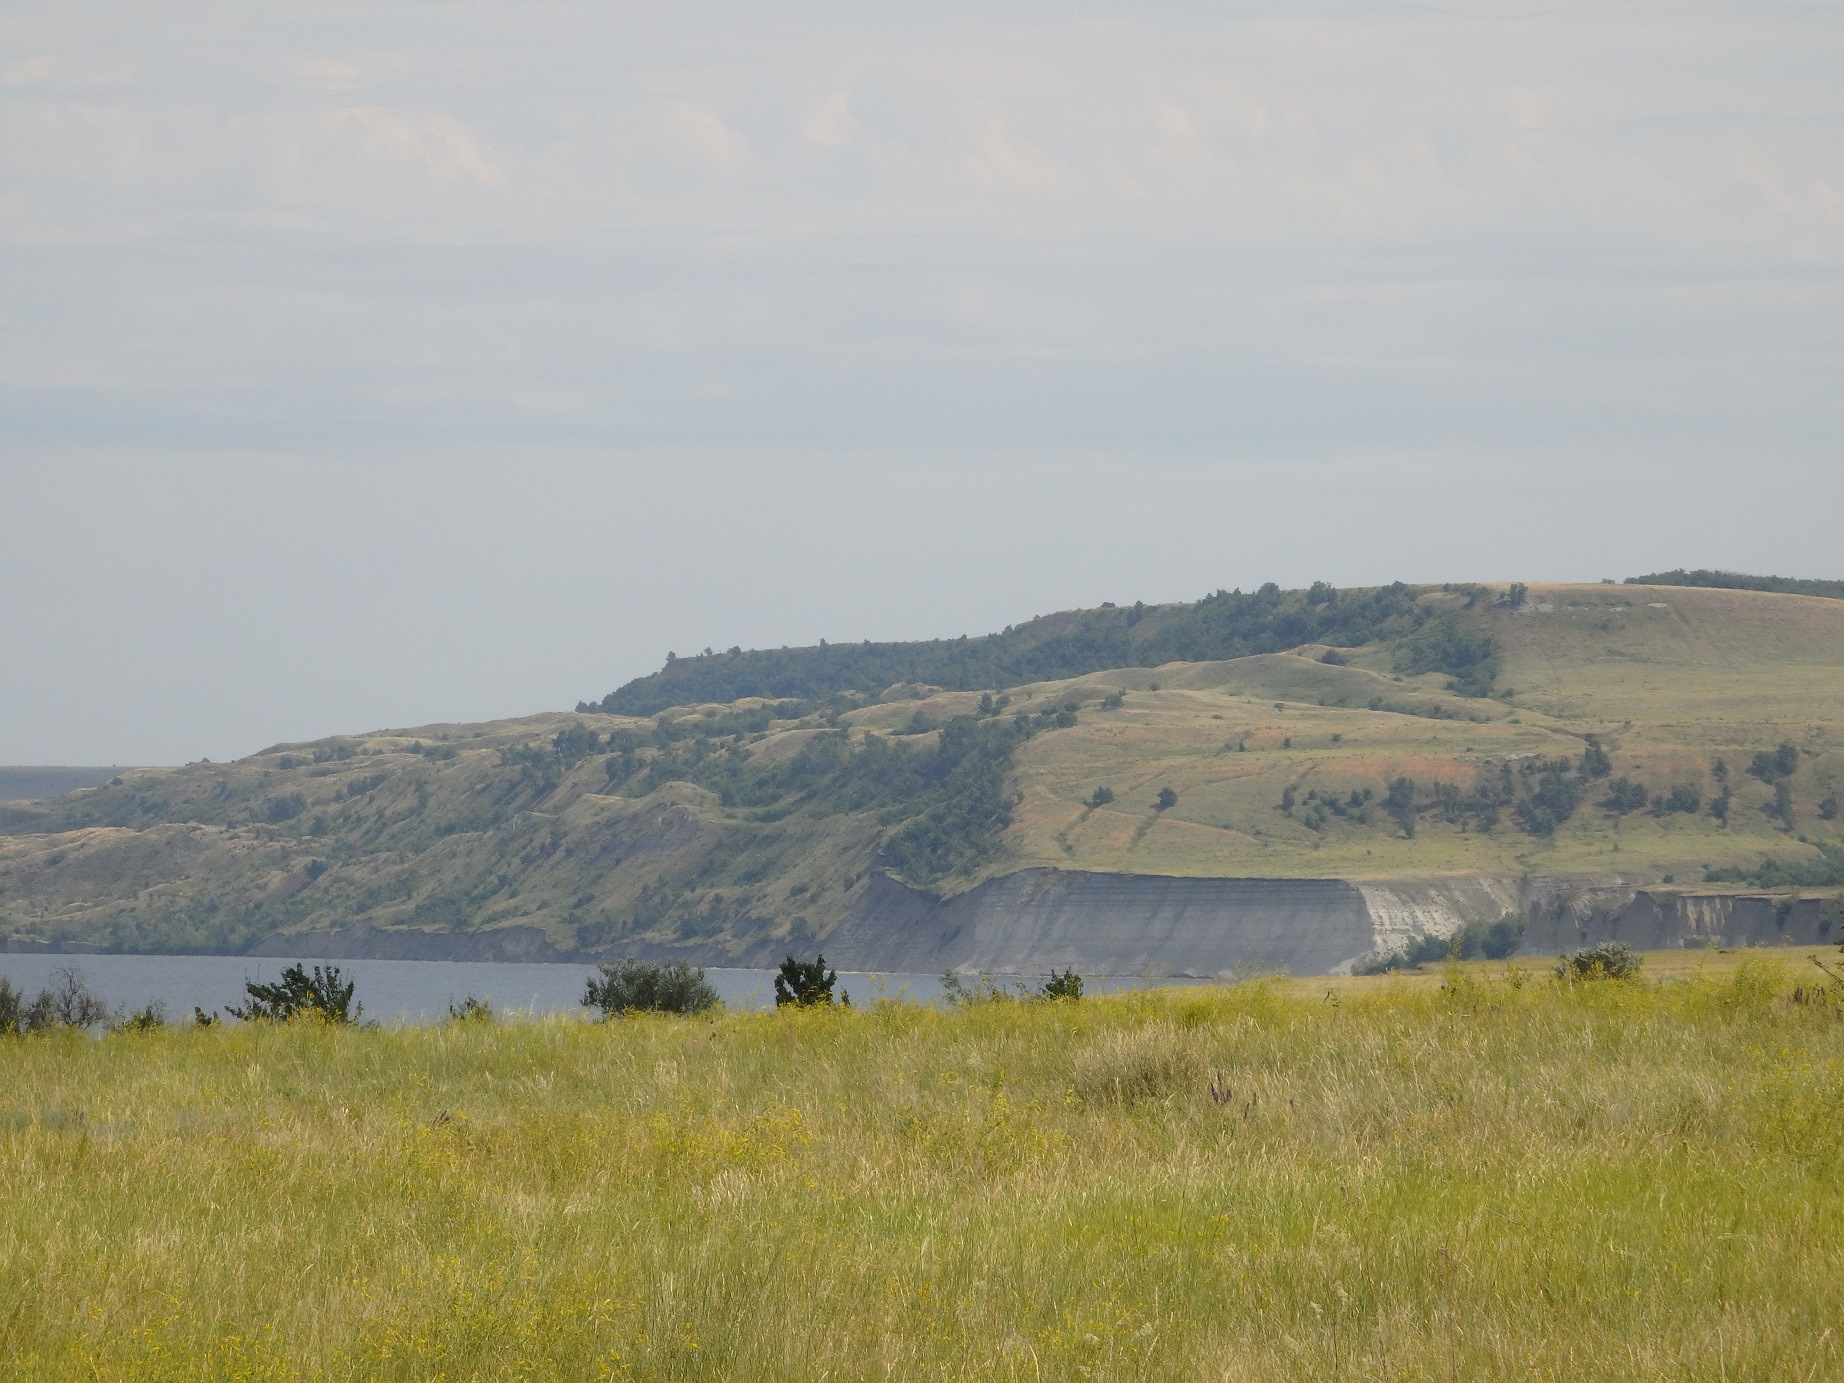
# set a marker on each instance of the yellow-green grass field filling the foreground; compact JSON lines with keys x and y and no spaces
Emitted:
{"x":1480,"y":1174}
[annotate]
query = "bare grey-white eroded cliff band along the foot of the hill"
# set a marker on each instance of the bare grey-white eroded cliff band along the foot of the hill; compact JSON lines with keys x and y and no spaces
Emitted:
{"x":1157,"y":927}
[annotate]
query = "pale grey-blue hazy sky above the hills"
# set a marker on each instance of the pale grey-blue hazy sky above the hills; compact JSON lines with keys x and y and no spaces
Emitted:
{"x":386,"y":364}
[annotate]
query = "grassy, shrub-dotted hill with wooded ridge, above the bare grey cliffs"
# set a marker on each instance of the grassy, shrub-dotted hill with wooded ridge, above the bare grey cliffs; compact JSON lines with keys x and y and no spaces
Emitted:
{"x":1367,"y":735}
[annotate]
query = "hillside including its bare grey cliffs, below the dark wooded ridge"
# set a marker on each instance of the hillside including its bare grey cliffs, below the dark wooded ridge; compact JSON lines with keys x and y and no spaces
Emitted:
{"x":1122,"y":820}
